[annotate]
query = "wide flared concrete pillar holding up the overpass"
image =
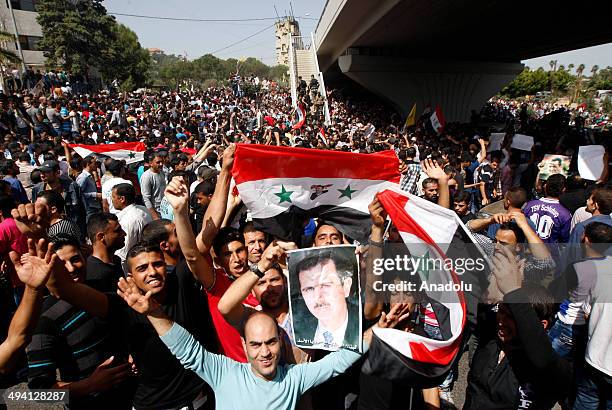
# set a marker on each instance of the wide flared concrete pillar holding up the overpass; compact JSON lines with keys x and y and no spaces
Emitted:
{"x":457,"y":86}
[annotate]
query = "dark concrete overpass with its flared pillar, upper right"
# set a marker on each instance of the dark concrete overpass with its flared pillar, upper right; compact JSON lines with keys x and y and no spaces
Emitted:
{"x":453,"y":53}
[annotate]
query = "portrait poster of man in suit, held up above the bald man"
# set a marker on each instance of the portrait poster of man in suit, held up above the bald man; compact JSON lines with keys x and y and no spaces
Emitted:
{"x":325,"y":297}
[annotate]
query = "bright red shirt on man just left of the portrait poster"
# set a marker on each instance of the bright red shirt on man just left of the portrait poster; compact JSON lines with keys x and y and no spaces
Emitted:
{"x":227,"y":336}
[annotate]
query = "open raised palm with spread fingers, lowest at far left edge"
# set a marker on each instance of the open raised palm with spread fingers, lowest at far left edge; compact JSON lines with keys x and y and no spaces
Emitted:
{"x":35,"y":267}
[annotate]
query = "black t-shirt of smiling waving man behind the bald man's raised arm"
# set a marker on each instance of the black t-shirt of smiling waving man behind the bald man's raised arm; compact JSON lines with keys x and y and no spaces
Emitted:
{"x":163,"y":381}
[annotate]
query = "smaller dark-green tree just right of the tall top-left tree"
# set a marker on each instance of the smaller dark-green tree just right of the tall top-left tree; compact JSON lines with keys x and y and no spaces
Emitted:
{"x":127,"y":61}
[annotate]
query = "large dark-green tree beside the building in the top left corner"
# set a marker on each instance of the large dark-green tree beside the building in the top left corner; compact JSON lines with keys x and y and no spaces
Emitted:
{"x":75,"y":33}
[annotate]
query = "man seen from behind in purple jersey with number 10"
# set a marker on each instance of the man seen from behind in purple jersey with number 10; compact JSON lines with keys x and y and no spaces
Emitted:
{"x":551,"y":219}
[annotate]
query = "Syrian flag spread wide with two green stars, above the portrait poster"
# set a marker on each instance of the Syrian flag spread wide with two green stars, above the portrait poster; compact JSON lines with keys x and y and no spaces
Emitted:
{"x":283,"y":187}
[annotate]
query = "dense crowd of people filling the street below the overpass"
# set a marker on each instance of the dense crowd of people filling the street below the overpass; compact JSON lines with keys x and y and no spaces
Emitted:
{"x":142,"y":285}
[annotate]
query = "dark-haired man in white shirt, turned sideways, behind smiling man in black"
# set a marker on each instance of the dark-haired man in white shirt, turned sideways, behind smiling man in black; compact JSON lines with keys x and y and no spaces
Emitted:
{"x":132,"y":218}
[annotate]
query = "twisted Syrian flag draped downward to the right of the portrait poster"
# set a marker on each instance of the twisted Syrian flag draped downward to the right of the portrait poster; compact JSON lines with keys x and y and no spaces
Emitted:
{"x":426,"y":229}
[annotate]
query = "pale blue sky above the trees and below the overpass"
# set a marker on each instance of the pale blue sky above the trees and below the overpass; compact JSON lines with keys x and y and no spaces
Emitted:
{"x":196,"y":38}
